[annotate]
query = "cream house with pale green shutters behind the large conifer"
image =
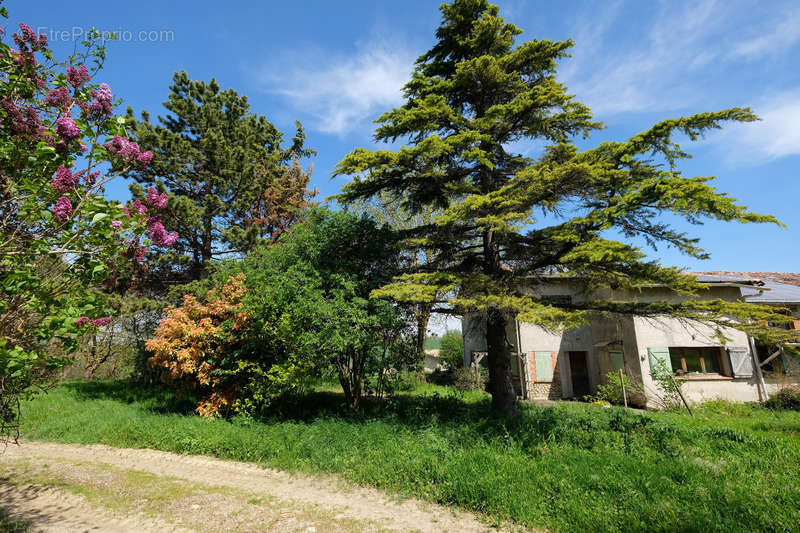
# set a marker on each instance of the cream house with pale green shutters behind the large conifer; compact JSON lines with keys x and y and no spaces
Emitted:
{"x":571,"y":364}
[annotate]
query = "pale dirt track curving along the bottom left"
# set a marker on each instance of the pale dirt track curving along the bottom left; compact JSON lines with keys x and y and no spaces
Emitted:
{"x":61,"y":487}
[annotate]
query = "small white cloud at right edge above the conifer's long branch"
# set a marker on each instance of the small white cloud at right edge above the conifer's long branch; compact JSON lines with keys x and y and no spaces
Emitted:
{"x":776,"y":135}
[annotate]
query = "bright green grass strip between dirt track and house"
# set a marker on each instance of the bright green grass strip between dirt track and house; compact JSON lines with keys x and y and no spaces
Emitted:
{"x":570,"y":467}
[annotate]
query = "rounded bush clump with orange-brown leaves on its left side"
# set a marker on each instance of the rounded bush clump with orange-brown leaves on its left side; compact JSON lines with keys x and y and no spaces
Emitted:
{"x":302,"y":310}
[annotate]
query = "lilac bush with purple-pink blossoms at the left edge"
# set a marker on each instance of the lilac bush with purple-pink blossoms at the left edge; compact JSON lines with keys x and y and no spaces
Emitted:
{"x":61,"y":240}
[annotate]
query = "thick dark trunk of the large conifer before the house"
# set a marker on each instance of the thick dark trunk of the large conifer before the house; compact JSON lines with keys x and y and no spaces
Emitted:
{"x":504,"y":399}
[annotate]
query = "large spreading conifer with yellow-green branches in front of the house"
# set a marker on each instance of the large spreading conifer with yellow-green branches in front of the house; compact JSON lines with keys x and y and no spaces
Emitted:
{"x":470,"y":98}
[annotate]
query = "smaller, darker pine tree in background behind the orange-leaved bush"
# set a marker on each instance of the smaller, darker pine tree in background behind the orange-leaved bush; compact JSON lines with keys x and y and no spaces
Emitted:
{"x":223,"y":168}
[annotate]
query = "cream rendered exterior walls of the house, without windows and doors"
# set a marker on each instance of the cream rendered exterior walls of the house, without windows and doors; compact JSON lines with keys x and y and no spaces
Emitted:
{"x":633,"y":335}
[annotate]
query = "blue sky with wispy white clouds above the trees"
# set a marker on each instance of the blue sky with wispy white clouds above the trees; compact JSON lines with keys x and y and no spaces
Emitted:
{"x":335,"y":66}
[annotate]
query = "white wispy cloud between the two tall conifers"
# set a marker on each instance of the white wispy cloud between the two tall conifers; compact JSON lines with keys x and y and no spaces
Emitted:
{"x":342,"y":93}
